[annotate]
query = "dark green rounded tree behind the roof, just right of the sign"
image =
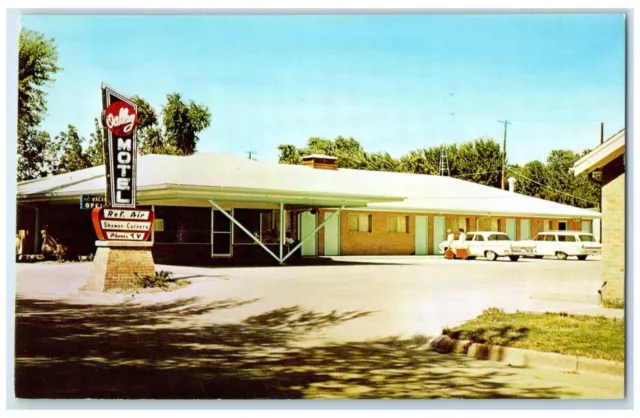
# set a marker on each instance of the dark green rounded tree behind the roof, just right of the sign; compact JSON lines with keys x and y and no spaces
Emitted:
{"x":182,"y":123}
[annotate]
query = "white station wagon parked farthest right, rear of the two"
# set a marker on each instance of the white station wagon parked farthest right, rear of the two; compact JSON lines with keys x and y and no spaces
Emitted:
{"x":563,"y":244}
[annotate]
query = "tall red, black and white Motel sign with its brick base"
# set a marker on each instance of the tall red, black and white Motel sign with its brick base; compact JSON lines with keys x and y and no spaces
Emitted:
{"x":122,"y":230}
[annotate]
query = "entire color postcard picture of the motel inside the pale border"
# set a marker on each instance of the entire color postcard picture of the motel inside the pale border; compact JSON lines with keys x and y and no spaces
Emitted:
{"x":321,"y":206}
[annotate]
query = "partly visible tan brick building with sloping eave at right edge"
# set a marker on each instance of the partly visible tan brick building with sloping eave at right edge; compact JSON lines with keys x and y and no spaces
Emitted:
{"x":609,"y":160}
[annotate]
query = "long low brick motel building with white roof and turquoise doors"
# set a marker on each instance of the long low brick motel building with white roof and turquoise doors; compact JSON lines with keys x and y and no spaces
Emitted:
{"x":217,"y":208}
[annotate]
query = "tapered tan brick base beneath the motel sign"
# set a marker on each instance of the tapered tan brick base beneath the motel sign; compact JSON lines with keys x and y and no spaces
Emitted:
{"x":116,"y":263}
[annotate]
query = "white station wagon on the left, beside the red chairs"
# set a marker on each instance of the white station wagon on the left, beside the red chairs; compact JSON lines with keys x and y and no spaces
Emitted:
{"x":492,"y":244}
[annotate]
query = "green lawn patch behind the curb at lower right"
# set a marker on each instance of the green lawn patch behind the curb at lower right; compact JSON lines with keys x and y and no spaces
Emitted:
{"x":587,"y":336}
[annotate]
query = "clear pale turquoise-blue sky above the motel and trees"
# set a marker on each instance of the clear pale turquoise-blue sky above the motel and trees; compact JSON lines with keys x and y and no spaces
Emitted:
{"x":395,"y":83}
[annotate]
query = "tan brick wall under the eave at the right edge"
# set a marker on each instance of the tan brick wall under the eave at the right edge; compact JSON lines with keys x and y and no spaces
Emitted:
{"x":613,"y":230}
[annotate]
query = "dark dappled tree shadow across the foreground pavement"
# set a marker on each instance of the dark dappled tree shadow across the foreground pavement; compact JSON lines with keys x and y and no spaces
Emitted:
{"x":169,"y":351}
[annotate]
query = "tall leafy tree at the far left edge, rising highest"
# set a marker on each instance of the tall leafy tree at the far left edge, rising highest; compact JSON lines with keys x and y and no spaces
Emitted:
{"x":37,"y":64}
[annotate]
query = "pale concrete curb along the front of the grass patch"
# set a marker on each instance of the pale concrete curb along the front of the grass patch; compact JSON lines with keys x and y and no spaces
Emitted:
{"x":519,"y":357}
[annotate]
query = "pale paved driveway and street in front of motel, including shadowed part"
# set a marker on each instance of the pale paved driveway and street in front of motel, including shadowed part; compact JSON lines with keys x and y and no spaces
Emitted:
{"x":355,"y":329}
